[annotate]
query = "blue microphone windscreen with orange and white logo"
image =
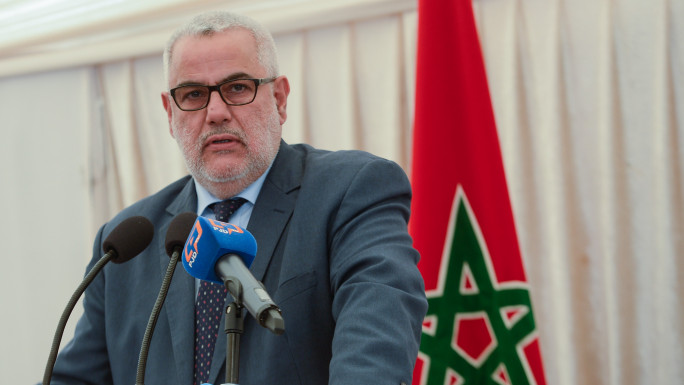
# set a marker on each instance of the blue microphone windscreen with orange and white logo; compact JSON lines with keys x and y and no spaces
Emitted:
{"x":209,"y":241}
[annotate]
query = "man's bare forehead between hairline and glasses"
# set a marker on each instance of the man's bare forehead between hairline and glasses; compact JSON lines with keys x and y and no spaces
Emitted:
{"x":212,"y":58}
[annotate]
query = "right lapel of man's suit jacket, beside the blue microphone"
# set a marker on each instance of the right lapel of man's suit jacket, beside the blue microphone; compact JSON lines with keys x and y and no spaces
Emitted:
{"x":271,"y":213}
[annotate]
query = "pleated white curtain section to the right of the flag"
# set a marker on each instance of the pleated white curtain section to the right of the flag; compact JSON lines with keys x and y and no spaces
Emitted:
{"x":589,"y":101}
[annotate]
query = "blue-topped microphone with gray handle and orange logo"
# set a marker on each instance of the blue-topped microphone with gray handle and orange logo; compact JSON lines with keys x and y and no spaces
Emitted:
{"x":222,"y":252}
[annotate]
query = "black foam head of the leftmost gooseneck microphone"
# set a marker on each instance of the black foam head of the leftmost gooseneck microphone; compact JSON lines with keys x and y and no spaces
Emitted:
{"x":129,"y":238}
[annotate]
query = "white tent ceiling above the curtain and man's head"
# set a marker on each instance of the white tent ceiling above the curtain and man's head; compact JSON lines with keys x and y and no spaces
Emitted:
{"x":39,"y":35}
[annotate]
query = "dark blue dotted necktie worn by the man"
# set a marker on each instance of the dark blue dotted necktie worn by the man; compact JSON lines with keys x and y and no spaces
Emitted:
{"x":211,"y":299}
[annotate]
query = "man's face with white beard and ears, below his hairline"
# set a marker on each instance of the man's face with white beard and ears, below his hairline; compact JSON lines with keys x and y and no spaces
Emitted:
{"x":222,"y":143}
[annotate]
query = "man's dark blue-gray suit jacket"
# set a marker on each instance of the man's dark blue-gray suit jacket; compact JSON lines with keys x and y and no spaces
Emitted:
{"x":333,"y":252}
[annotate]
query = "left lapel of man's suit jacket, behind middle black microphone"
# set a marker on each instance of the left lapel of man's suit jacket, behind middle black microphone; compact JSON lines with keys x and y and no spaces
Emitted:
{"x":180,"y":300}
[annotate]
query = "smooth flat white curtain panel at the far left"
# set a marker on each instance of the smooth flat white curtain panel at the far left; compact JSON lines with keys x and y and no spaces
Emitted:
{"x":45,"y":224}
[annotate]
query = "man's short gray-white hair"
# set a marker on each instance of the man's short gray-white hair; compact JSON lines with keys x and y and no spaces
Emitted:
{"x":209,"y":23}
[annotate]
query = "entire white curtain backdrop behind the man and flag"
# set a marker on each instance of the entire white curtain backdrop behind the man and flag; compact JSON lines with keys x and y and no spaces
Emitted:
{"x":589,"y":103}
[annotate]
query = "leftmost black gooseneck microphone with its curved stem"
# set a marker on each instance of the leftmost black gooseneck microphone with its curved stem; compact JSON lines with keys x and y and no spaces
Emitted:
{"x":126,"y":241}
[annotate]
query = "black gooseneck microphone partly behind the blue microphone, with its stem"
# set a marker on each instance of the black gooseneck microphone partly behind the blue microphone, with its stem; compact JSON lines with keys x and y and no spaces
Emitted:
{"x":176,"y":235}
